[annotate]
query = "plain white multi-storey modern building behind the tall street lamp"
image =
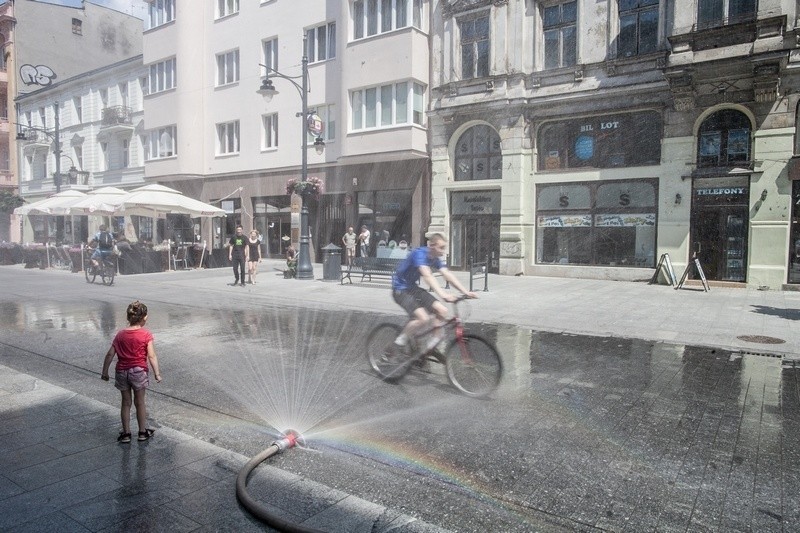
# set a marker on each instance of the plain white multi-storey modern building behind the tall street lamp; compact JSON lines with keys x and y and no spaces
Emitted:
{"x":213,"y":137}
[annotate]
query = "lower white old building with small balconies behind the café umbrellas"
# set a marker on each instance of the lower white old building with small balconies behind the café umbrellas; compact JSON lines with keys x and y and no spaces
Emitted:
{"x":98,"y":118}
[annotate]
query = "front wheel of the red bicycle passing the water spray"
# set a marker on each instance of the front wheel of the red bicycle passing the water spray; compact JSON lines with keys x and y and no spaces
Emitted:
{"x":473,"y":365}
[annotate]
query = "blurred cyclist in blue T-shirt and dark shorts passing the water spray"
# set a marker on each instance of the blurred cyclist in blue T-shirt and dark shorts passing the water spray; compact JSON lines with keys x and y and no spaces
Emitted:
{"x":421,"y":306}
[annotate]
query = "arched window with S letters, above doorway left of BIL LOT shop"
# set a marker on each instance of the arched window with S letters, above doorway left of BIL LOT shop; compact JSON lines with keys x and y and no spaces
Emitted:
{"x":478,"y":155}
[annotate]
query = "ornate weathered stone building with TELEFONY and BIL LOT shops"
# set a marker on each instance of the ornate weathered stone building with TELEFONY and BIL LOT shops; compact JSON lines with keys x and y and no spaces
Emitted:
{"x":587,"y":139}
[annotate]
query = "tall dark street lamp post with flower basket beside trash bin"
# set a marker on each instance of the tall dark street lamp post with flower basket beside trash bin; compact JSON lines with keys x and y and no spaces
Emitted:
{"x":304,"y":268}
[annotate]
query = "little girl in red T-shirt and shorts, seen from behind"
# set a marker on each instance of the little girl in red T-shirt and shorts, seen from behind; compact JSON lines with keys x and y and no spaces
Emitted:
{"x":133,"y":347}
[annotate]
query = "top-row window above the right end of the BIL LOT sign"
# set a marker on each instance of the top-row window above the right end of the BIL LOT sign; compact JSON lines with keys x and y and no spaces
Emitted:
{"x":638,"y":27}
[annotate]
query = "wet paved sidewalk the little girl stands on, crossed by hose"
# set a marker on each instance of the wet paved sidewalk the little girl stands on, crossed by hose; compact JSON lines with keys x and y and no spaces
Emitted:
{"x":58,"y":472}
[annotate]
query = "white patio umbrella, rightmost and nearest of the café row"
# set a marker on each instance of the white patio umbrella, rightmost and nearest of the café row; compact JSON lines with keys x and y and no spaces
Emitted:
{"x":155,"y":199}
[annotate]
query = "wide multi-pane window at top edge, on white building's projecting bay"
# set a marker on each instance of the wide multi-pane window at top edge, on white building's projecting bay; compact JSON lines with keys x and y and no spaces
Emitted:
{"x":380,"y":16}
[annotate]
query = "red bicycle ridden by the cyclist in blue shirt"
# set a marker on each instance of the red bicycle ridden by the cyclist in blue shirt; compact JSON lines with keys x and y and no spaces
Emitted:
{"x":472,"y":363}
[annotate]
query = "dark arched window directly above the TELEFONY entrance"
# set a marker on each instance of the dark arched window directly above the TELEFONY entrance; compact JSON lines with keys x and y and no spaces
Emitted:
{"x":723,"y":139}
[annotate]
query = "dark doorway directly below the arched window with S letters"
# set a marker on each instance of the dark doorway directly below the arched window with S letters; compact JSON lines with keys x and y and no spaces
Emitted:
{"x":474,"y":229}
